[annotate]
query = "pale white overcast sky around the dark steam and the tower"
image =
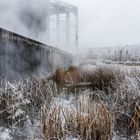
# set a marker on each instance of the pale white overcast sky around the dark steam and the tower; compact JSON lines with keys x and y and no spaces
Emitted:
{"x":101,"y":22}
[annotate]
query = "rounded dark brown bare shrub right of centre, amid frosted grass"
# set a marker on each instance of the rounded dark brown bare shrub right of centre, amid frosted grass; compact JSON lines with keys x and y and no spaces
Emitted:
{"x":105,"y":78}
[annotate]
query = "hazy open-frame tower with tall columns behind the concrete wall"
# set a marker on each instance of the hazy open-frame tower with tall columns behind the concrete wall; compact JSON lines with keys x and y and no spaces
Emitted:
{"x":62,"y":19}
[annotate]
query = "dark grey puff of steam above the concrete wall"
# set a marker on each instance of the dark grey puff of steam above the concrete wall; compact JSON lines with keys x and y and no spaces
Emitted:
{"x":34,"y":16}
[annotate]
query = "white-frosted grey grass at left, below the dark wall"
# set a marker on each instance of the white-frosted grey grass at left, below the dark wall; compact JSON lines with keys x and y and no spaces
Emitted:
{"x":22,"y":100}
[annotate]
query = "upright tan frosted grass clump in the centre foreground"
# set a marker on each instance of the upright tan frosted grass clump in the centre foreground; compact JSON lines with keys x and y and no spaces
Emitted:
{"x":60,"y":122}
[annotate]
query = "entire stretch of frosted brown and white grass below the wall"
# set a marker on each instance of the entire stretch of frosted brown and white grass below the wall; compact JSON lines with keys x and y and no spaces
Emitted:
{"x":112,"y":107}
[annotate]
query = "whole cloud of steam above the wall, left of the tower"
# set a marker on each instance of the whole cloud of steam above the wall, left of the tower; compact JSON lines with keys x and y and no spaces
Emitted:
{"x":24,"y":17}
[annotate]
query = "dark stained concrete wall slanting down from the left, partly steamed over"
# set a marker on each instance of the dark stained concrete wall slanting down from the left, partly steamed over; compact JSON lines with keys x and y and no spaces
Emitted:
{"x":21,"y":57}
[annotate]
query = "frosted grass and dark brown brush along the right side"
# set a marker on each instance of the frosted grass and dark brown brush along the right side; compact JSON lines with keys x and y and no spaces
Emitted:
{"x":119,"y":89}
